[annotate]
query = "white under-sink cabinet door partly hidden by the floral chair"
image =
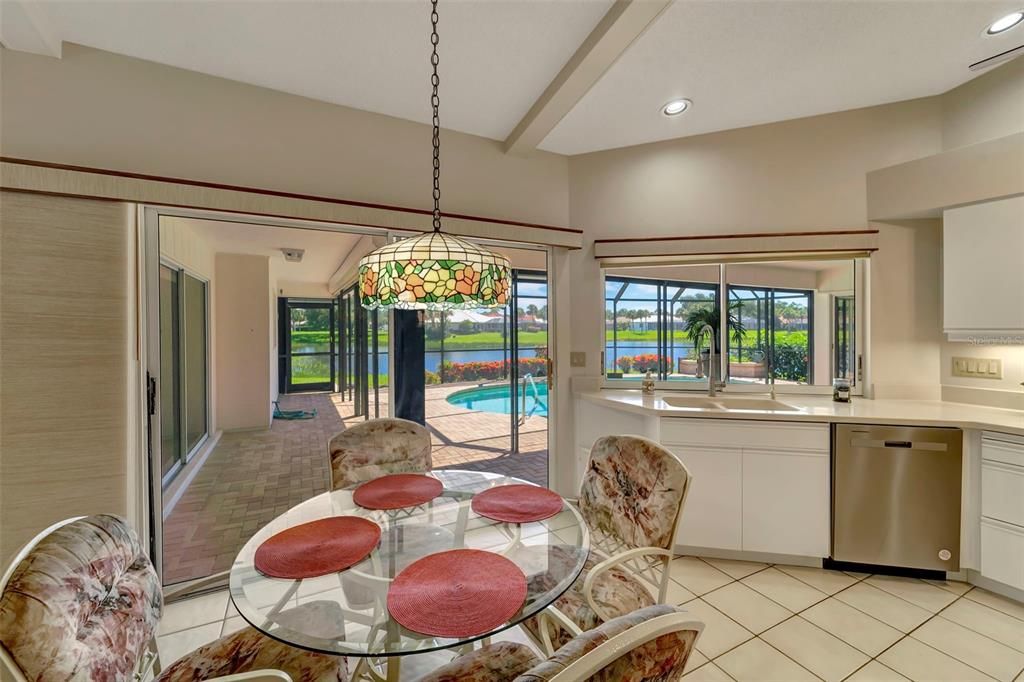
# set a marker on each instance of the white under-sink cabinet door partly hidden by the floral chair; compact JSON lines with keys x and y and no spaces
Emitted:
{"x":713,"y":516}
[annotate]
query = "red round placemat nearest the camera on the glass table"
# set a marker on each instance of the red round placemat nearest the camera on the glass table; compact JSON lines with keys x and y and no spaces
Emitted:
{"x":459,"y":593}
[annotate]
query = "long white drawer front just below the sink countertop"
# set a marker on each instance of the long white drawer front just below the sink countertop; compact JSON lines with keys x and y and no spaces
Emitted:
{"x":744,"y":434}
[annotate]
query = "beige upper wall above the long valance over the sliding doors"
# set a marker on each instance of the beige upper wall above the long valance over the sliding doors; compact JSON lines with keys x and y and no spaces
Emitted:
{"x":102,"y":110}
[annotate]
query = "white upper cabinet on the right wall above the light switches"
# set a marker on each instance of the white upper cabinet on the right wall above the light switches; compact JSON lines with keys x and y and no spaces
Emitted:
{"x":984,"y":272}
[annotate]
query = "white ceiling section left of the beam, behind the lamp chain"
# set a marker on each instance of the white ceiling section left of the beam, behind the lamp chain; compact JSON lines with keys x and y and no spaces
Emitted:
{"x":496,"y":56}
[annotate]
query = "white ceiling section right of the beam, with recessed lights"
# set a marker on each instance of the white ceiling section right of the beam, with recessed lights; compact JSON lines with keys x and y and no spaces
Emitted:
{"x":749,"y":62}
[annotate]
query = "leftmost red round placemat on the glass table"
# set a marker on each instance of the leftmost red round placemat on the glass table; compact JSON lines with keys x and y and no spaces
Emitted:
{"x":318,"y":548}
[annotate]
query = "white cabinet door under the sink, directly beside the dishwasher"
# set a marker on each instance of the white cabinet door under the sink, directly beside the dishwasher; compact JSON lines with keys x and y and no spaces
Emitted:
{"x":786,"y":506}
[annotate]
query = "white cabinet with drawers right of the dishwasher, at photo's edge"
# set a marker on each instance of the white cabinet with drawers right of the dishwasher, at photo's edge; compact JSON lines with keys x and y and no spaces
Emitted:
{"x":1003,"y":509}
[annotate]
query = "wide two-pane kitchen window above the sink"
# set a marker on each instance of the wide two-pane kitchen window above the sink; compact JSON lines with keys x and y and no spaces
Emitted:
{"x":788,"y":321}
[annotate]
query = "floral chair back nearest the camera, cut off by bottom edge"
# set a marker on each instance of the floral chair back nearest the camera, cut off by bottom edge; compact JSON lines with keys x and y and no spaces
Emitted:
{"x":649,"y":646}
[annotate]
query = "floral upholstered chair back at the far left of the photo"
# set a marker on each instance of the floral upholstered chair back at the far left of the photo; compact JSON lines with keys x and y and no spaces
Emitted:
{"x":81,"y":602}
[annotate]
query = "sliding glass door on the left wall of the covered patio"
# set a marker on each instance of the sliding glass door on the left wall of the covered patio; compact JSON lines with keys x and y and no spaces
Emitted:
{"x":184,"y":368}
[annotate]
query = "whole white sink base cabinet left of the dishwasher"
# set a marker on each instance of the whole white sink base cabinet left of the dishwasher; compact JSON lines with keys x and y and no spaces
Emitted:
{"x":758,"y":487}
